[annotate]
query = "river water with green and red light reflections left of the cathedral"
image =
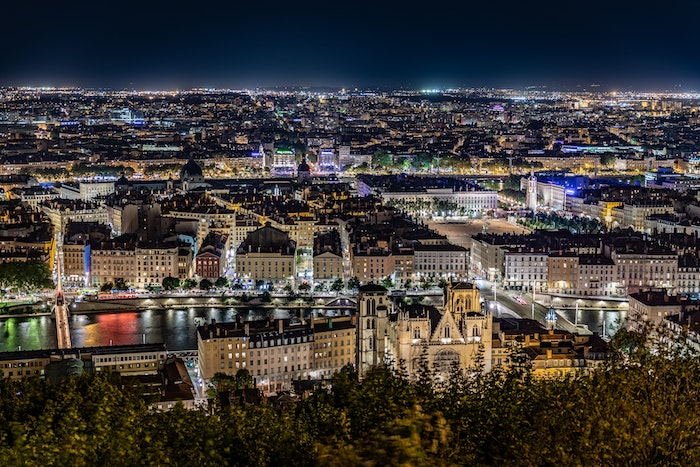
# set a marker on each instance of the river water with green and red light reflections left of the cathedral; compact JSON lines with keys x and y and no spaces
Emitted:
{"x":176,"y":327}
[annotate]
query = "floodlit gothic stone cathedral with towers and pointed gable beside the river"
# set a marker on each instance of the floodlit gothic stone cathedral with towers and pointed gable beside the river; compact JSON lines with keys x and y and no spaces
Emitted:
{"x":402,"y":335}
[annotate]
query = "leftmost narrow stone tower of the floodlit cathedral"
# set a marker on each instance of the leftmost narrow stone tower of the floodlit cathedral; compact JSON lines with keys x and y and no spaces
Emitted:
{"x":372,"y":327}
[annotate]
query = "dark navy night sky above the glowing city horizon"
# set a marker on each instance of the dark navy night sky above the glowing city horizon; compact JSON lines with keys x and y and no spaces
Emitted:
{"x":176,"y":44}
